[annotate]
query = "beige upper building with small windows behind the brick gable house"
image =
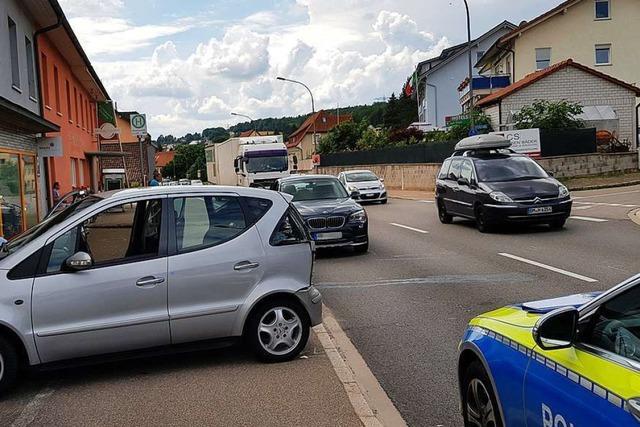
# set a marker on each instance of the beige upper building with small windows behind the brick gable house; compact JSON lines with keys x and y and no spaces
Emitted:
{"x":597,"y":33}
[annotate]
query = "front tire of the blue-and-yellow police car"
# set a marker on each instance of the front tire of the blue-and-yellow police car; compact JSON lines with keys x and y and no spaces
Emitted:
{"x":479,"y":403}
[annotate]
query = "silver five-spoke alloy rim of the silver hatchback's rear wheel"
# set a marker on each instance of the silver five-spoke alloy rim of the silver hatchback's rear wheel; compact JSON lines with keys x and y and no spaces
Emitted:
{"x":279,"y":330}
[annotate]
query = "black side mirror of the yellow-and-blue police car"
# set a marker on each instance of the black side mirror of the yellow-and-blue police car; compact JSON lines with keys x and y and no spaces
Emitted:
{"x":557,"y":329}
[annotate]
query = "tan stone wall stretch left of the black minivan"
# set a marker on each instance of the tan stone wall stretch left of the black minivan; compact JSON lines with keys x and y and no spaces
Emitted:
{"x":396,"y":176}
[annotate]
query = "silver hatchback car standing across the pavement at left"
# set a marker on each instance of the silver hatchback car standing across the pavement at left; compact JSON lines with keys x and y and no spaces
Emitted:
{"x":137,"y":269}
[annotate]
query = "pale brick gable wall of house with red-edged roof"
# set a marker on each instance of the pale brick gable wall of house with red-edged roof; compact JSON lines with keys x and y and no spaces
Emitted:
{"x":576,"y":85}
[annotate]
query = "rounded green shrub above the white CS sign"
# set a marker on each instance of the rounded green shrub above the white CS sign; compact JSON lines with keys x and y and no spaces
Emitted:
{"x":545,"y":114}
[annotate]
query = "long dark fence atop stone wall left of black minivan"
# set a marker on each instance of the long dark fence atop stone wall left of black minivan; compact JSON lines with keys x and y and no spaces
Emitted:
{"x":434,"y":152}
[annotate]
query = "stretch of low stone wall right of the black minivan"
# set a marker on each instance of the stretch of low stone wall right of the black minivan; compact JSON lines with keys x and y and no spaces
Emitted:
{"x":590,"y":164}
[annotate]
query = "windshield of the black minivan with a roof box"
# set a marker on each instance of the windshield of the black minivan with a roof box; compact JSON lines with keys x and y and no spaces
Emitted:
{"x":504,"y":168}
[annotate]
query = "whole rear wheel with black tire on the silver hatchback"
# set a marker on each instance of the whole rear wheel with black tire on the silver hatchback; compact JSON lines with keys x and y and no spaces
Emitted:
{"x":278,"y":330}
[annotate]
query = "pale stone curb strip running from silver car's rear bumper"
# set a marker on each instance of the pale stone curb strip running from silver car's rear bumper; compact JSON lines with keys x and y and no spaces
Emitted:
{"x":369,"y":400}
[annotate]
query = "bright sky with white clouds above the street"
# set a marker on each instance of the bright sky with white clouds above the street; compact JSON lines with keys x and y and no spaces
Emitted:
{"x":189,"y":63}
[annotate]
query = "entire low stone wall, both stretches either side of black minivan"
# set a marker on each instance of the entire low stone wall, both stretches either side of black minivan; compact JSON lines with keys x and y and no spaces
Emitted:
{"x":422,"y":176}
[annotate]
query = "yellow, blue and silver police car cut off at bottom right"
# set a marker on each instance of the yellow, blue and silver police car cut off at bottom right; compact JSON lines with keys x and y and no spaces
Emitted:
{"x":571,"y":361}
